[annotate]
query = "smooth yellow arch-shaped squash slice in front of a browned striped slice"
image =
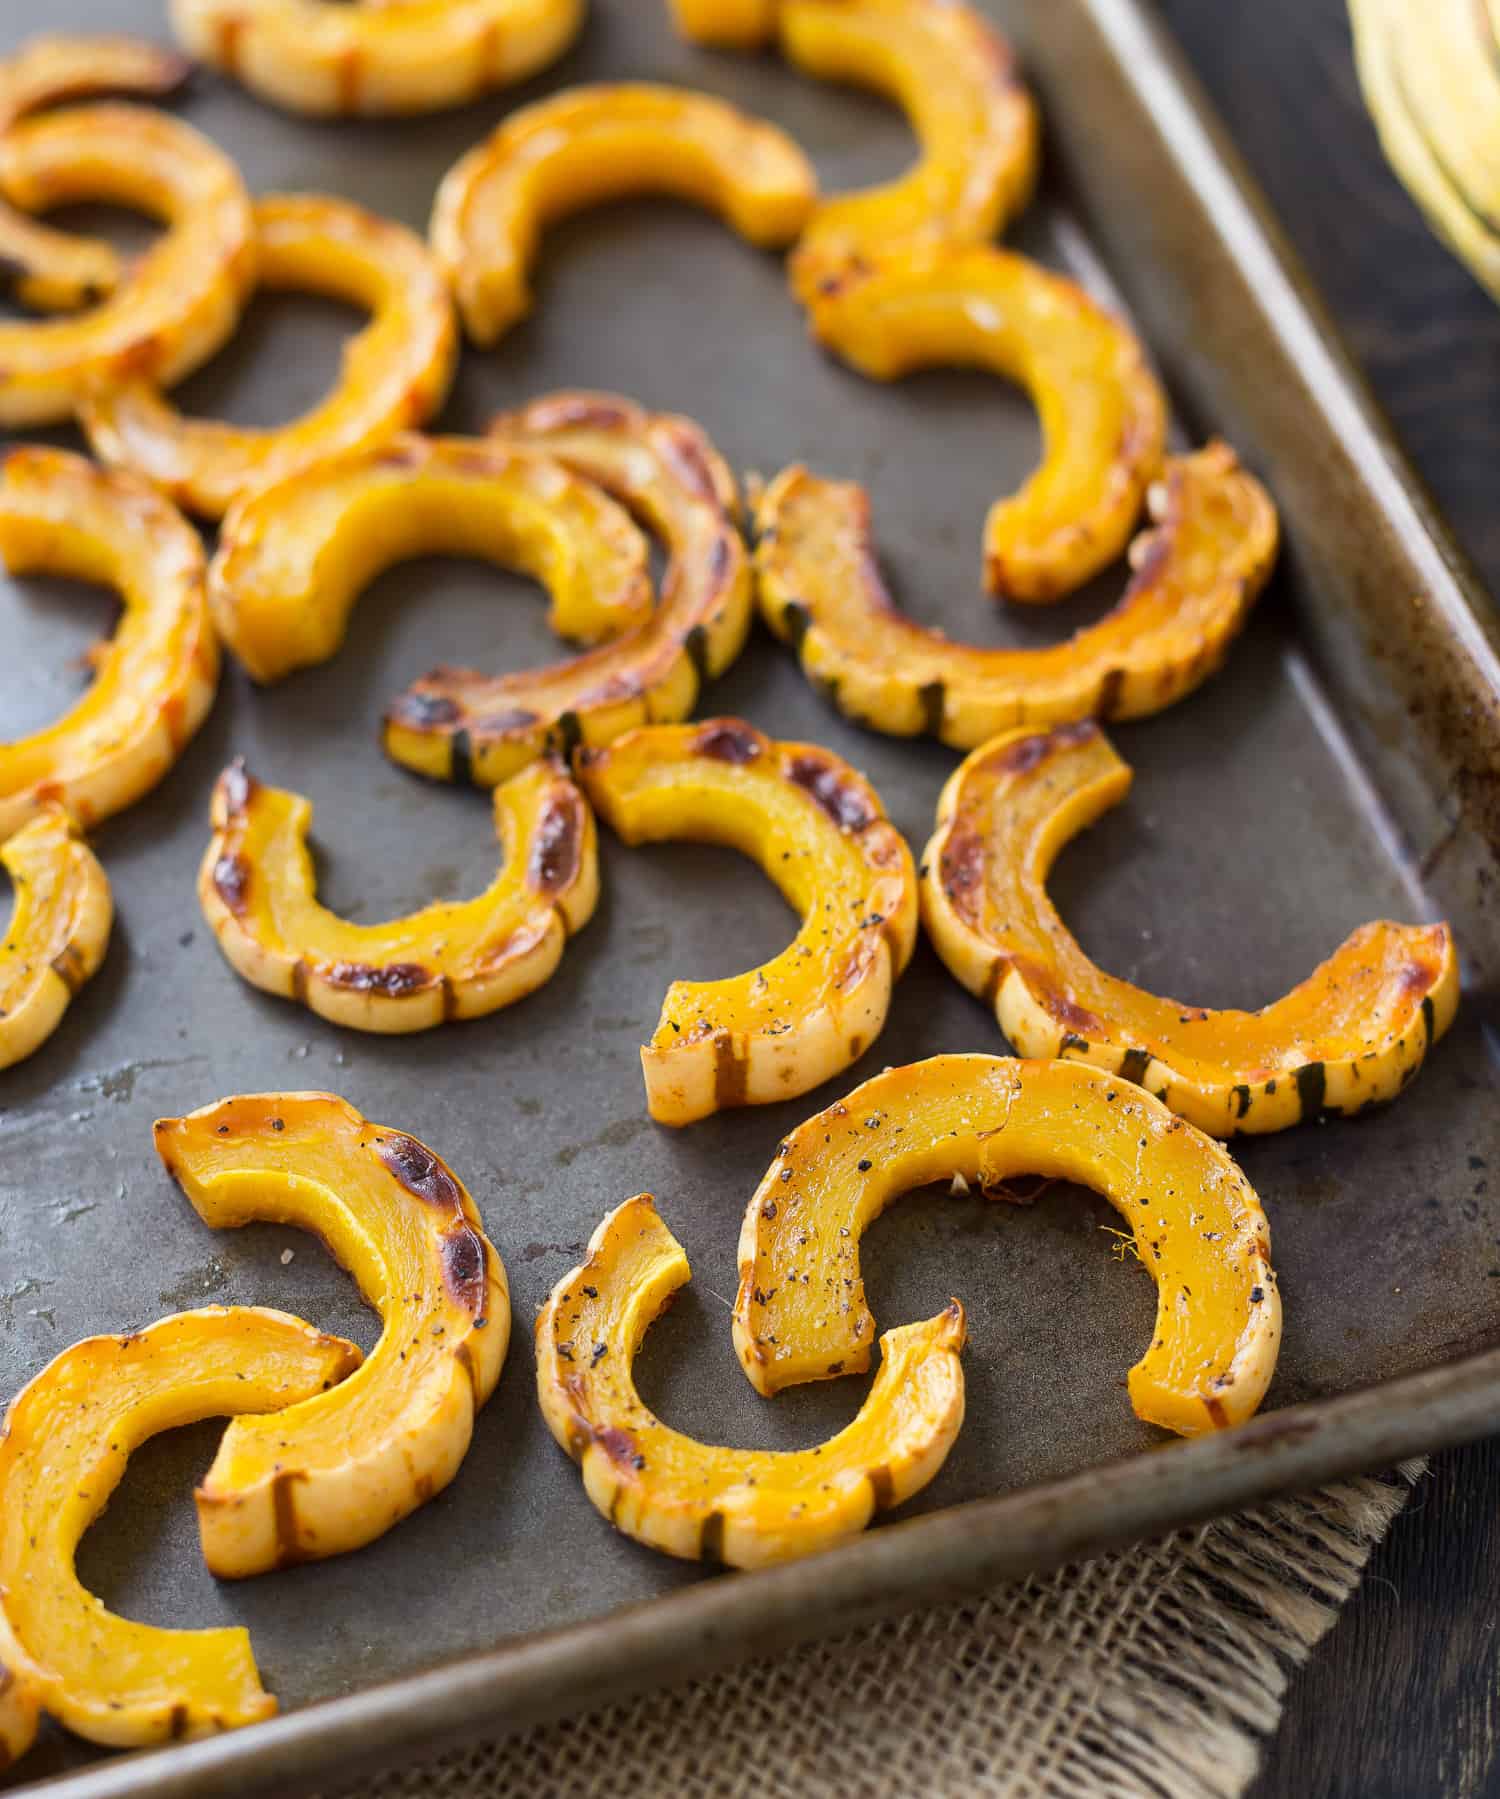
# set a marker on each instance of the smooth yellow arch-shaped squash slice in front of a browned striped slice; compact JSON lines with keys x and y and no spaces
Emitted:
{"x":296,"y":557}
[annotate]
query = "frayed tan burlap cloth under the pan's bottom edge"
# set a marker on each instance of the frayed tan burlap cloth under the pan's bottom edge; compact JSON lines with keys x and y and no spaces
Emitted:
{"x":1157,"y":1672}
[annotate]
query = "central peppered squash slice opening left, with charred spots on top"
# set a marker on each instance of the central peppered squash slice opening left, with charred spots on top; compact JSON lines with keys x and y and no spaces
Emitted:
{"x":821,"y":834}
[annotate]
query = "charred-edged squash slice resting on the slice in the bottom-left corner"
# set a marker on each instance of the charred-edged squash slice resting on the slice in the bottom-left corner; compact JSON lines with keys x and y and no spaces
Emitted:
{"x":344,"y":1467}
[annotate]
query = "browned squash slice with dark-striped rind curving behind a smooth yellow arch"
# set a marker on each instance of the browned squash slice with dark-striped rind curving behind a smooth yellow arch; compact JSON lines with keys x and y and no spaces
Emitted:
{"x":458,"y":724}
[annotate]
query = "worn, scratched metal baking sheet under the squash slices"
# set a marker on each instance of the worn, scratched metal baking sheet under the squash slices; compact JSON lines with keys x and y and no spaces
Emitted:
{"x":1339,"y":771}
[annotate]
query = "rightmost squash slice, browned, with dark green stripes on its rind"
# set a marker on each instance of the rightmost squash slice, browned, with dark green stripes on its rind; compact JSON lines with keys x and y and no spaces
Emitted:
{"x":1353,"y":1034}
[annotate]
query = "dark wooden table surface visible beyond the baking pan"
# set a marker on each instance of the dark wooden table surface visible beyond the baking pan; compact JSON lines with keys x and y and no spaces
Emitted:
{"x":1404,"y":1696}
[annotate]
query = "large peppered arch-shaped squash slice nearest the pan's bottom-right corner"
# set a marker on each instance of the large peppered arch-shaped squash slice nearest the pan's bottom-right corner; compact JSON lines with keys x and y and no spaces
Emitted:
{"x":1199,"y":1228}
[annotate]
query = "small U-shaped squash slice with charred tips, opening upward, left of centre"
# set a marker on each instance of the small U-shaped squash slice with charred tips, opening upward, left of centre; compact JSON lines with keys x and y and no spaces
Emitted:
{"x":461,"y":960}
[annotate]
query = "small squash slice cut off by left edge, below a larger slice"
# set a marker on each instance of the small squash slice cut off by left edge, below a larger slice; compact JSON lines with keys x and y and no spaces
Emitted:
{"x":58,"y":933}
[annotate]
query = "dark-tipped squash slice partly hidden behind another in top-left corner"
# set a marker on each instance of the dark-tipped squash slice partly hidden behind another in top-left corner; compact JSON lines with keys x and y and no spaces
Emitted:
{"x":51,"y":271}
